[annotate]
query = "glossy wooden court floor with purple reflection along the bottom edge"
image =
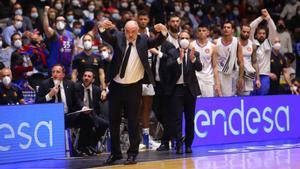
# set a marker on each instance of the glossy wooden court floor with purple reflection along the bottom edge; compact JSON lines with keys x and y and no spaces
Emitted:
{"x":269,"y":159}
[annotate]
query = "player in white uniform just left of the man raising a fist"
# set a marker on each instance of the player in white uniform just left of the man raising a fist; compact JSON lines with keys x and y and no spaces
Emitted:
{"x":250,"y":62}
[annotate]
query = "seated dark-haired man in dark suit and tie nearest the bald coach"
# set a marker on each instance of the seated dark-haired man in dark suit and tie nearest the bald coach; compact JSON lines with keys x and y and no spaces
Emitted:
{"x":94,"y":125}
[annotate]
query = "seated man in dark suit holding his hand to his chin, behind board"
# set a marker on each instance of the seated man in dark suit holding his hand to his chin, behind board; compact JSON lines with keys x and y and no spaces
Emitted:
{"x":57,"y":89}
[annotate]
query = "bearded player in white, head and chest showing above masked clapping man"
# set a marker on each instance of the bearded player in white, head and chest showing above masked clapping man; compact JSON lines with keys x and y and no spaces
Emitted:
{"x":174,"y":29}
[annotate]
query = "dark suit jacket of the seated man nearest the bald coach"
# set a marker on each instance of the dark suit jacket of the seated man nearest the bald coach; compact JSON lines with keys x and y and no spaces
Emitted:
{"x":96,"y":93}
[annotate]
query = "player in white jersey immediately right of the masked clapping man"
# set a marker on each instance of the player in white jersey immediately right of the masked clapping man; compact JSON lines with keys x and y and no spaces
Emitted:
{"x":208,"y":77}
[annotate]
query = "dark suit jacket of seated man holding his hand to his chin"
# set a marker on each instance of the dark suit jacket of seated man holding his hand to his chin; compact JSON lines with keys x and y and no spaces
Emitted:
{"x":48,"y":84}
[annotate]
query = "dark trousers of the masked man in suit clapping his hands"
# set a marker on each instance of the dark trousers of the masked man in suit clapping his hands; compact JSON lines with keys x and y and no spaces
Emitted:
{"x":183,"y":101}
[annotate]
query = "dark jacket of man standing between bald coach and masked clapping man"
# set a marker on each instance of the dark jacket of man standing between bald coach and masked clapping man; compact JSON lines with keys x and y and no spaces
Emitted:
{"x":166,"y":49}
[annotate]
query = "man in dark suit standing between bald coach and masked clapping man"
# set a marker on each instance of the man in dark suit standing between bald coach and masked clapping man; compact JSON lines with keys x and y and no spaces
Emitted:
{"x":161,"y":75}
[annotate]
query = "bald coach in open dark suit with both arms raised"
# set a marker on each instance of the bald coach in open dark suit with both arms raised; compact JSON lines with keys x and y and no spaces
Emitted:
{"x":128,"y":67}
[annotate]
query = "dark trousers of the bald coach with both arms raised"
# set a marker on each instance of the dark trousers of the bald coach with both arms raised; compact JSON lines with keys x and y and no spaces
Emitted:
{"x":124,"y":98}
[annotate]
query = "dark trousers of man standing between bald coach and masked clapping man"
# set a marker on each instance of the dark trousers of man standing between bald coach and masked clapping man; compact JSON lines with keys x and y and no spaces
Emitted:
{"x":162,"y":113}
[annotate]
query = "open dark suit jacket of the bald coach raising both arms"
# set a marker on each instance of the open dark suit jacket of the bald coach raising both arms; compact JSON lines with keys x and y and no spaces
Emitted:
{"x":117,"y":40}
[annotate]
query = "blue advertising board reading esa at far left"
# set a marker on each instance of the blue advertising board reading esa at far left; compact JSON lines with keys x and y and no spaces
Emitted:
{"x":31,"y":132}
